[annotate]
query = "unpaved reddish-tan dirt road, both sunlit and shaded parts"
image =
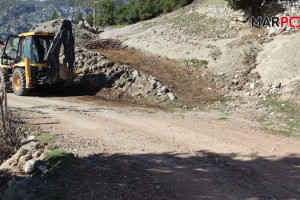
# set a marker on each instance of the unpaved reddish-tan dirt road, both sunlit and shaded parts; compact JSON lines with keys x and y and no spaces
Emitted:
{"x":191,"y":155}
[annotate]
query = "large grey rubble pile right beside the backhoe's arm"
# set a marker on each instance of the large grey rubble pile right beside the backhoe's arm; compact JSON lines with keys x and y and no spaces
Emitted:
{"x":98,"y":73}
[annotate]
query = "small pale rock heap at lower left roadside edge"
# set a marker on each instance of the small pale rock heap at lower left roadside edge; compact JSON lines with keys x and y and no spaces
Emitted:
{"x":27,"y":159}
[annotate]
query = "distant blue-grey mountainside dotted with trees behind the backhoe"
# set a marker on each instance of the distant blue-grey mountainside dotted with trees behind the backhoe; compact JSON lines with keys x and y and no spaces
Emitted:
{"x":21,"y":16}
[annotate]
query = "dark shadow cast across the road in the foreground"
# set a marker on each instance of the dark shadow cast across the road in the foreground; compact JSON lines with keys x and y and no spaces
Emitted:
{"x":205,"y":175}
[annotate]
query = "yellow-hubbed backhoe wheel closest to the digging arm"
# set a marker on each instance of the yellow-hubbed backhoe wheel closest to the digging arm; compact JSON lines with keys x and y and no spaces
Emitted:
{"x":19,"y":82}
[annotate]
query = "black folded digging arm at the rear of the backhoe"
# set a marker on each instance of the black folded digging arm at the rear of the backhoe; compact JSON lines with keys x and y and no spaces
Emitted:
{"x":64,"y":37}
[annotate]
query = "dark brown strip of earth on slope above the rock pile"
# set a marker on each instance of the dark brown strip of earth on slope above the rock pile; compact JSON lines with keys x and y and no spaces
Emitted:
{"x":190,"y":85}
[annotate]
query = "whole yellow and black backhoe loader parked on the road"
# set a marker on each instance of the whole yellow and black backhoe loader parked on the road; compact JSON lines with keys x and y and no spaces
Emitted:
{"x":32,"y":59}
